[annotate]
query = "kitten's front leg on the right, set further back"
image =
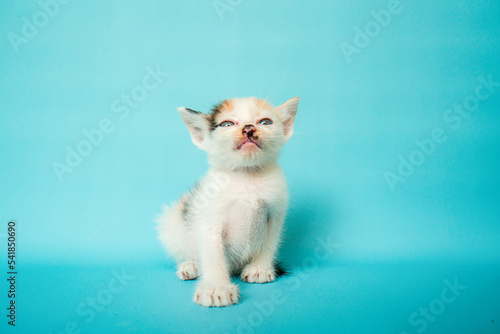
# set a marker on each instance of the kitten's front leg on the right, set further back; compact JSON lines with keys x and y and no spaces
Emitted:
{"x":261,"y":268}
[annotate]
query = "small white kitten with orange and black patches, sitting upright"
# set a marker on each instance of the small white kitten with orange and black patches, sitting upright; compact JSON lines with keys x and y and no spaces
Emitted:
{"x":231,"y":221}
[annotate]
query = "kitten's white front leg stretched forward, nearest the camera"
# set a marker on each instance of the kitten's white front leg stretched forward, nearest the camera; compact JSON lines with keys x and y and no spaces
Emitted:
{"x":215,"y":287}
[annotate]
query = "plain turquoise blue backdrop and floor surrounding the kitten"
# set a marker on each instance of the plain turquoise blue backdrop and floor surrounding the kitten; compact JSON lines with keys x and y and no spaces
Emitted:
{"x":400,"y":236}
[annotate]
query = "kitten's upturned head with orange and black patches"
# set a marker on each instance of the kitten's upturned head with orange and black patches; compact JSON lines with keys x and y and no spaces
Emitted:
{"x":242,"y":133}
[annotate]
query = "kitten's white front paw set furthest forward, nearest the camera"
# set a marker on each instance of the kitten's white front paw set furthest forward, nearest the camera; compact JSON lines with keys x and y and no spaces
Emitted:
{"x":218,"y":296}
